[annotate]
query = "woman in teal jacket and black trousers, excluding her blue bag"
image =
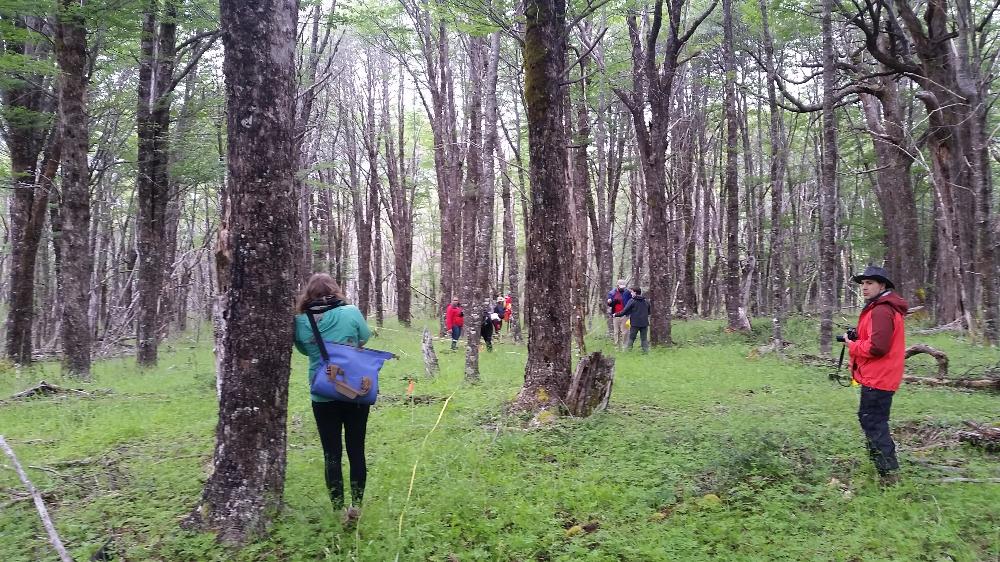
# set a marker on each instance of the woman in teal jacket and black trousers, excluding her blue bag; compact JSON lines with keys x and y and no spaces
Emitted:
{"x":341,"y":324}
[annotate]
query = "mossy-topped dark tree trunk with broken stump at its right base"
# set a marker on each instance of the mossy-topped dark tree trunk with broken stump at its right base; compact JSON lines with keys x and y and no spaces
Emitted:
{"x":547,"y":372}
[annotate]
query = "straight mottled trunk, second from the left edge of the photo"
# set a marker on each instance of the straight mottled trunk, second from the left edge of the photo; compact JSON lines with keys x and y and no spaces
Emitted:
{"x":78,"y":262}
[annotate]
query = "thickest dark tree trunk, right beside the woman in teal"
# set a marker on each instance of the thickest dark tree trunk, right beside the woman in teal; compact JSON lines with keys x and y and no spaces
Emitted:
{"x":245,"y":488}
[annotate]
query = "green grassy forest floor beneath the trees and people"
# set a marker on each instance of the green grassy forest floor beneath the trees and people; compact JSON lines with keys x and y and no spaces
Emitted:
{"x":707,"y":452}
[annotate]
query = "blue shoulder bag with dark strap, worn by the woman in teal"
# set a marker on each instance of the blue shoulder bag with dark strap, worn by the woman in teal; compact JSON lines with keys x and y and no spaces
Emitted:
{"x":348,"y":373}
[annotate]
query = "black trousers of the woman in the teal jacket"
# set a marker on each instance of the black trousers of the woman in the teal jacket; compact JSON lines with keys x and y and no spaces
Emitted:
{"x":352,"y":419}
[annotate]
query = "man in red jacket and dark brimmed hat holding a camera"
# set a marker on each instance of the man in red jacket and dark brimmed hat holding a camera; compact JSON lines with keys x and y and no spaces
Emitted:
{"x":877,"y":354}
